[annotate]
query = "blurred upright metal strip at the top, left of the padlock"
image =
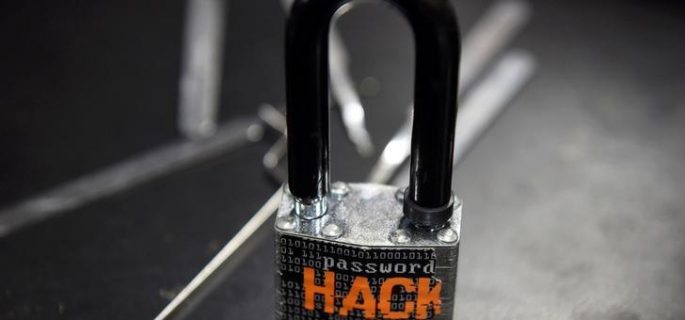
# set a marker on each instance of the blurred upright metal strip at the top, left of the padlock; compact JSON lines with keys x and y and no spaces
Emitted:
{"x":201,"y":71}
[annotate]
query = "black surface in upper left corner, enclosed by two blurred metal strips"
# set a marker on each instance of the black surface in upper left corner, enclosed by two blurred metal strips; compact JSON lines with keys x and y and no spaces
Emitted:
{"x":83,"y":85}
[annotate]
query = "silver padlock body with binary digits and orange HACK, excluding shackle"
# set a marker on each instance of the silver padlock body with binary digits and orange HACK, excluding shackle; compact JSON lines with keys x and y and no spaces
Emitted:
{"x":361,"y":260}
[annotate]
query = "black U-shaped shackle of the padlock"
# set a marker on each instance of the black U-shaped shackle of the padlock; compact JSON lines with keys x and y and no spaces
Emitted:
{"x":436,"y":35}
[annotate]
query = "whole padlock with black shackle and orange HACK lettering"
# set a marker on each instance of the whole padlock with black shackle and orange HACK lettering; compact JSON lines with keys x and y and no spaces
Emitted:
{"x":361,"y":250}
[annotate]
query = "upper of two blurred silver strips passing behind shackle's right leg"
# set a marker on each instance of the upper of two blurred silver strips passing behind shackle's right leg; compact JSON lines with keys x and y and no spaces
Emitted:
{"x":486,"y":39}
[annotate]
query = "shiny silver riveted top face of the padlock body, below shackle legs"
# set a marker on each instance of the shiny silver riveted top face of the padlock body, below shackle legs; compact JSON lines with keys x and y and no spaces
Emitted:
{"x":367,"y":215}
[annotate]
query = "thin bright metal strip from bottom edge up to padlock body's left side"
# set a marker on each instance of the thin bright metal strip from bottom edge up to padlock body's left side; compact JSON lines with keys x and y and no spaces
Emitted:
{"x":194,"y":288}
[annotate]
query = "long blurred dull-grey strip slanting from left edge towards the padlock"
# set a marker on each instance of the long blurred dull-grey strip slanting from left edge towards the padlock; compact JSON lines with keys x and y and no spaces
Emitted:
{"x":128,"y":174}
